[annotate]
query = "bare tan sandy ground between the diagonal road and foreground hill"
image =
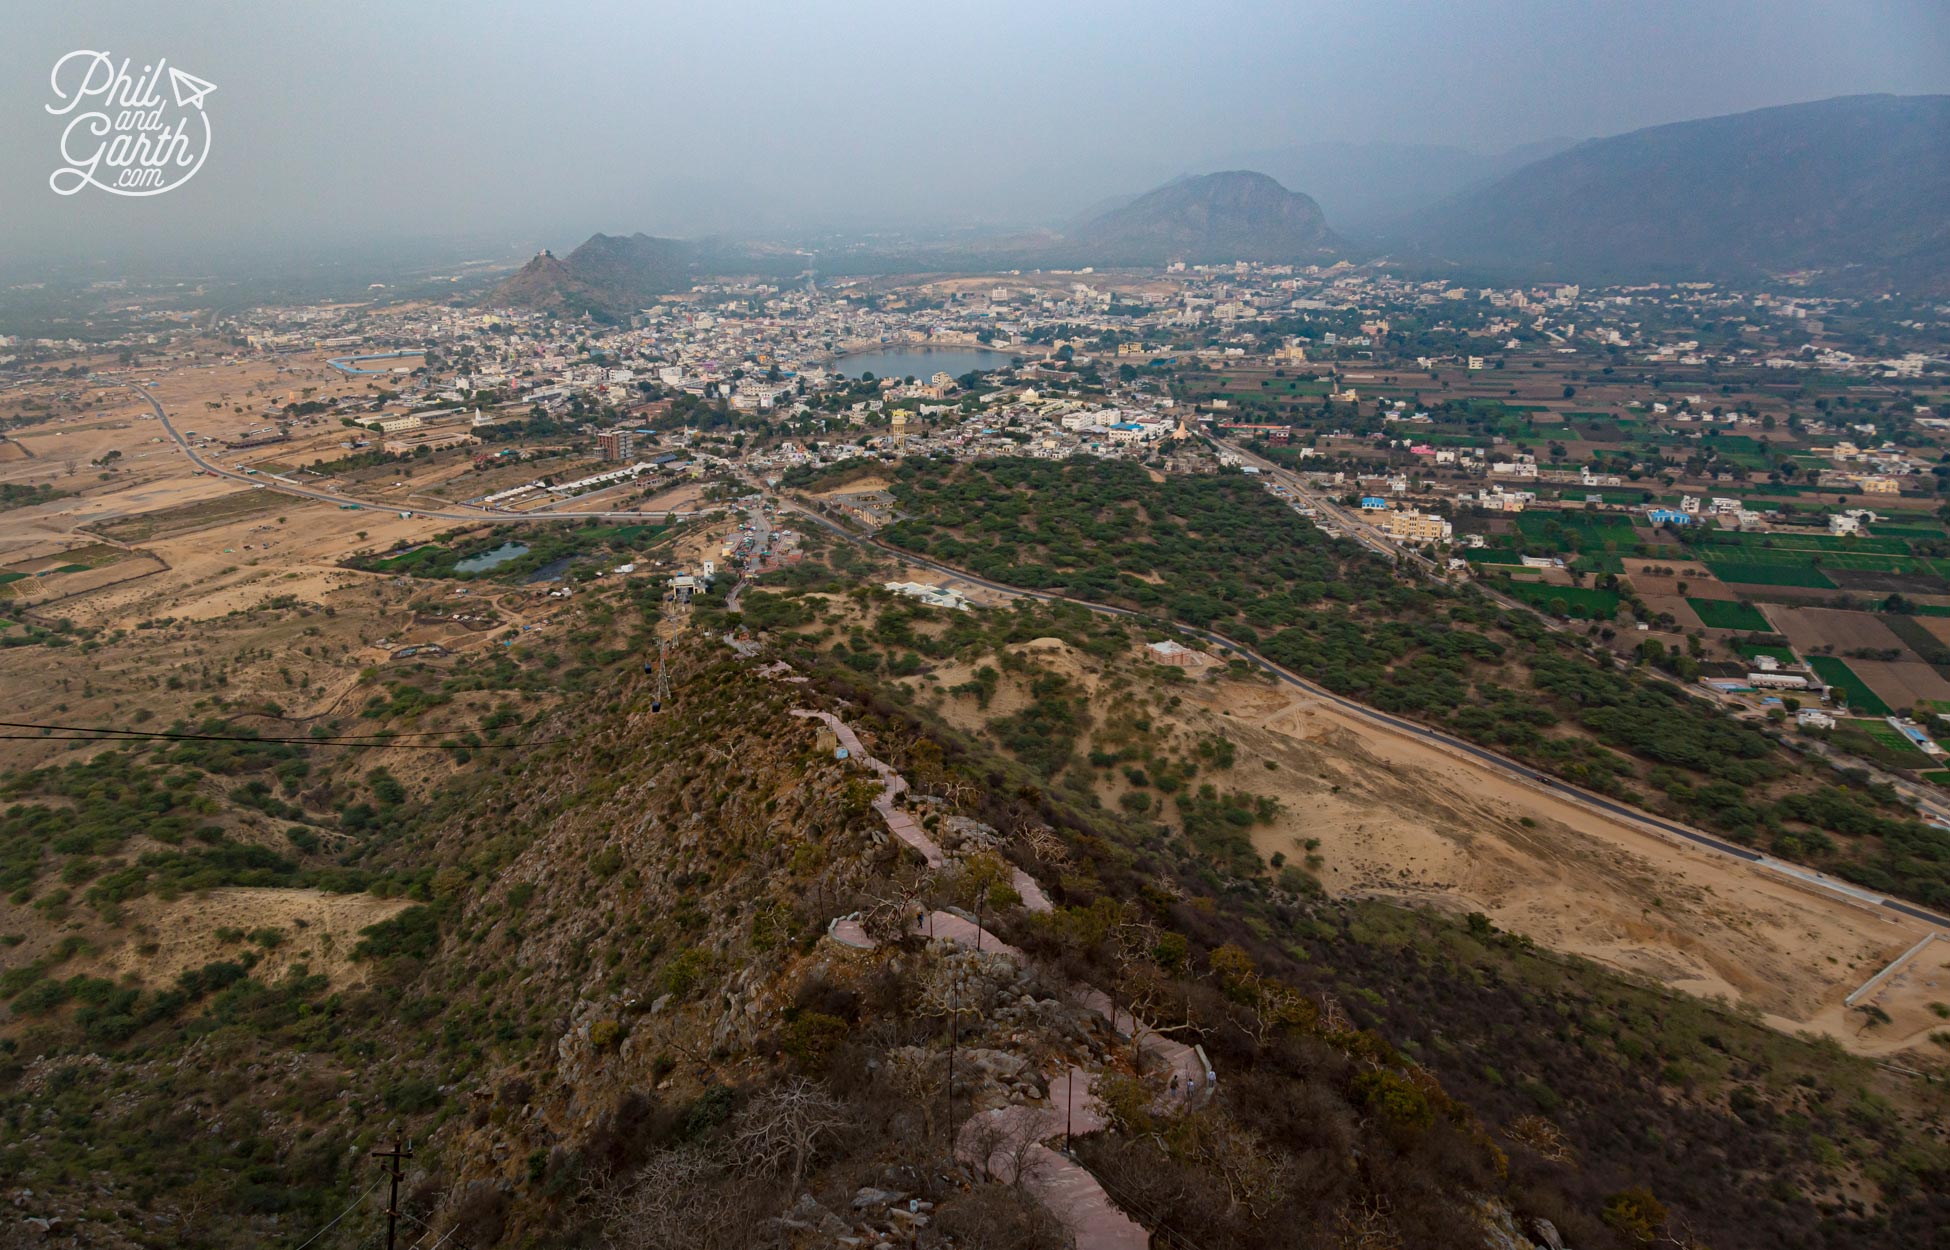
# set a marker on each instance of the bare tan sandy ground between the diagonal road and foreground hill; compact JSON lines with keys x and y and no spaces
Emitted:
{"x":1405,"y":820}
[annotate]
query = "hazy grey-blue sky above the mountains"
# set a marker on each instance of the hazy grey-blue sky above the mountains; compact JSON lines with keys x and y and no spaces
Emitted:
{"x":545,"y":122}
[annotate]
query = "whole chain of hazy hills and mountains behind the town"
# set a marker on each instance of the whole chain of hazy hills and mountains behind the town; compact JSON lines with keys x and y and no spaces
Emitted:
{"x":1853,"y":190}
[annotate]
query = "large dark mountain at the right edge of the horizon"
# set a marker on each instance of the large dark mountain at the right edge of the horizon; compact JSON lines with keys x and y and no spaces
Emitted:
{"x":1855,"y":188}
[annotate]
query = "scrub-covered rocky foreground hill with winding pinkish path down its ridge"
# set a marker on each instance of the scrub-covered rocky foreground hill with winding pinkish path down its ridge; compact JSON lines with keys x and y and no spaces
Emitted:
{"x":799,"y":962}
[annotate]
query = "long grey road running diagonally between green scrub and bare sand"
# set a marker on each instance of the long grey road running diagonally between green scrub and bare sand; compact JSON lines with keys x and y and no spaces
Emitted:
{"x":1436,"y":736}
